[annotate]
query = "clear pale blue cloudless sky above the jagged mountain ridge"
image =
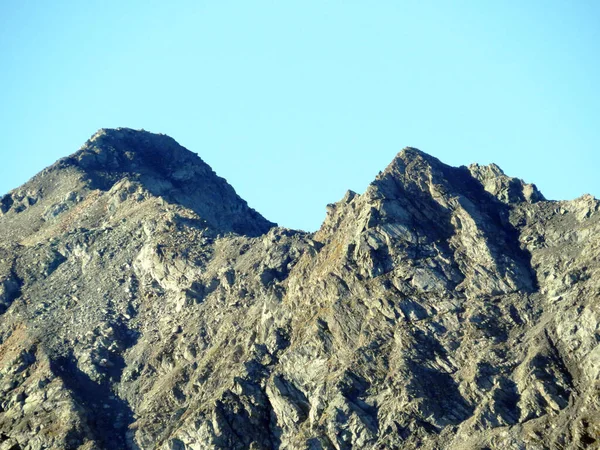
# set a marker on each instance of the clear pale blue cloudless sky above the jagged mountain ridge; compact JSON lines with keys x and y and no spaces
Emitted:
{"x":296,"y":101}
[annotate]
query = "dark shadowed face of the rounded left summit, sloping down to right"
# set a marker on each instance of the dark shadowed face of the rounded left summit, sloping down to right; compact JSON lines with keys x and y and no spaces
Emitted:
{"x":168,"y":170}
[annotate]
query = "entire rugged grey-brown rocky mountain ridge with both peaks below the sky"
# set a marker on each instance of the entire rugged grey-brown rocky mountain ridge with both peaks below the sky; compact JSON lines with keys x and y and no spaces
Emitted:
{"x":144,"y":305}
